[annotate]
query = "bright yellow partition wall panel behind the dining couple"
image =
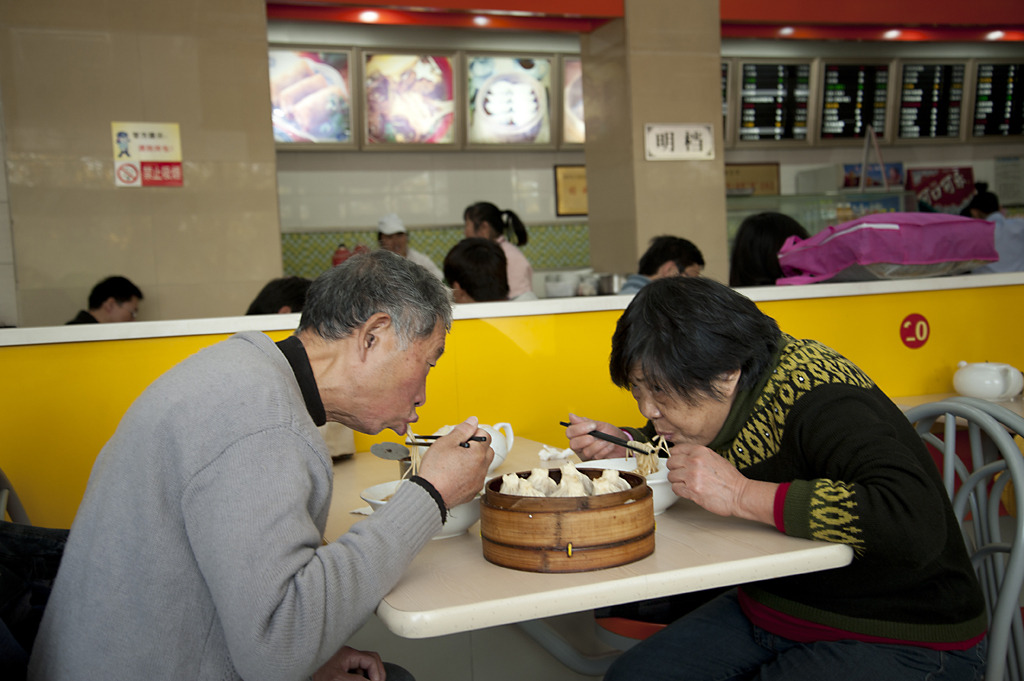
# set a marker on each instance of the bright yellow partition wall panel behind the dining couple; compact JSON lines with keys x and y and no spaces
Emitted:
{"x":65,"y":400}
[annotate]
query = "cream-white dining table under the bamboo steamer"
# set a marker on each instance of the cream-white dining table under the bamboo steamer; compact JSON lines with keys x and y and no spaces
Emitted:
{"x":451,"y":588}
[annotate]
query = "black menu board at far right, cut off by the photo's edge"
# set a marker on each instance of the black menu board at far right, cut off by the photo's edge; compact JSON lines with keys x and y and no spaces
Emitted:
{"x":999,"y":101}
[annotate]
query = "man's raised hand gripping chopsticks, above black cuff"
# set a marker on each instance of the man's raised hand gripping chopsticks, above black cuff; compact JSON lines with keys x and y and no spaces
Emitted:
{"x":458,"y":473}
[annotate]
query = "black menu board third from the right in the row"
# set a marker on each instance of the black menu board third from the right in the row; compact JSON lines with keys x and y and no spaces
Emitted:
{"x":854,"y":98}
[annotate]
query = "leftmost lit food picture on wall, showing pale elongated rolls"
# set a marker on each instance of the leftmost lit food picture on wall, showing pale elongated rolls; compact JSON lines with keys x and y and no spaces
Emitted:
{"x":310,"y":95}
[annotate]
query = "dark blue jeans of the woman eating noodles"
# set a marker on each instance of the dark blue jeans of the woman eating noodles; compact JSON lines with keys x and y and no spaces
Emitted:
{"x":717,"y":643}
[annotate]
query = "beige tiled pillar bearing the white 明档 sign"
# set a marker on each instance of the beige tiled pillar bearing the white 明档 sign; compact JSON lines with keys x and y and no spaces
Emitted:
{"x":659,"y":65}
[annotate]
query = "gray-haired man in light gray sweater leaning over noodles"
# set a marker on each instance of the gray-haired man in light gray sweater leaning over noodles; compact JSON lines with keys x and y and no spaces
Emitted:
{"x":197,"y":552}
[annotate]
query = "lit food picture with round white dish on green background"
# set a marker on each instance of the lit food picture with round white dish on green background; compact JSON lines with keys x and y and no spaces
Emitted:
{"x":509,"y":100}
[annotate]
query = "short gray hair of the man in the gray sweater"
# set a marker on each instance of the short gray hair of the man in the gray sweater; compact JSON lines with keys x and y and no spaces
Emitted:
{"x":345,"y":297}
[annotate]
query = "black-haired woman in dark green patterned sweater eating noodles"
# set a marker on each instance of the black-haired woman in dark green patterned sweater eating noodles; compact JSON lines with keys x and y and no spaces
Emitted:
{"x":789,"y":434}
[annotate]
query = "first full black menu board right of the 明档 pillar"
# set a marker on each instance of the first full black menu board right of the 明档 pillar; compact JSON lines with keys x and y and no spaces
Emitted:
{"x":774,"y":102}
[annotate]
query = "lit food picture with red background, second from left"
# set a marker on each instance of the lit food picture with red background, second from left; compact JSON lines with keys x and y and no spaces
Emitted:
{"x":409,"y":100}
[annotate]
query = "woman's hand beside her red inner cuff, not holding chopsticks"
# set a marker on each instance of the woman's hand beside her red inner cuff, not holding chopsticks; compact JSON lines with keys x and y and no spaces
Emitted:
{"x":706,"y":479}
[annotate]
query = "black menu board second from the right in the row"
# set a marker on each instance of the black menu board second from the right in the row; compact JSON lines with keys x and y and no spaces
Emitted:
{"x":930,"y":101}
